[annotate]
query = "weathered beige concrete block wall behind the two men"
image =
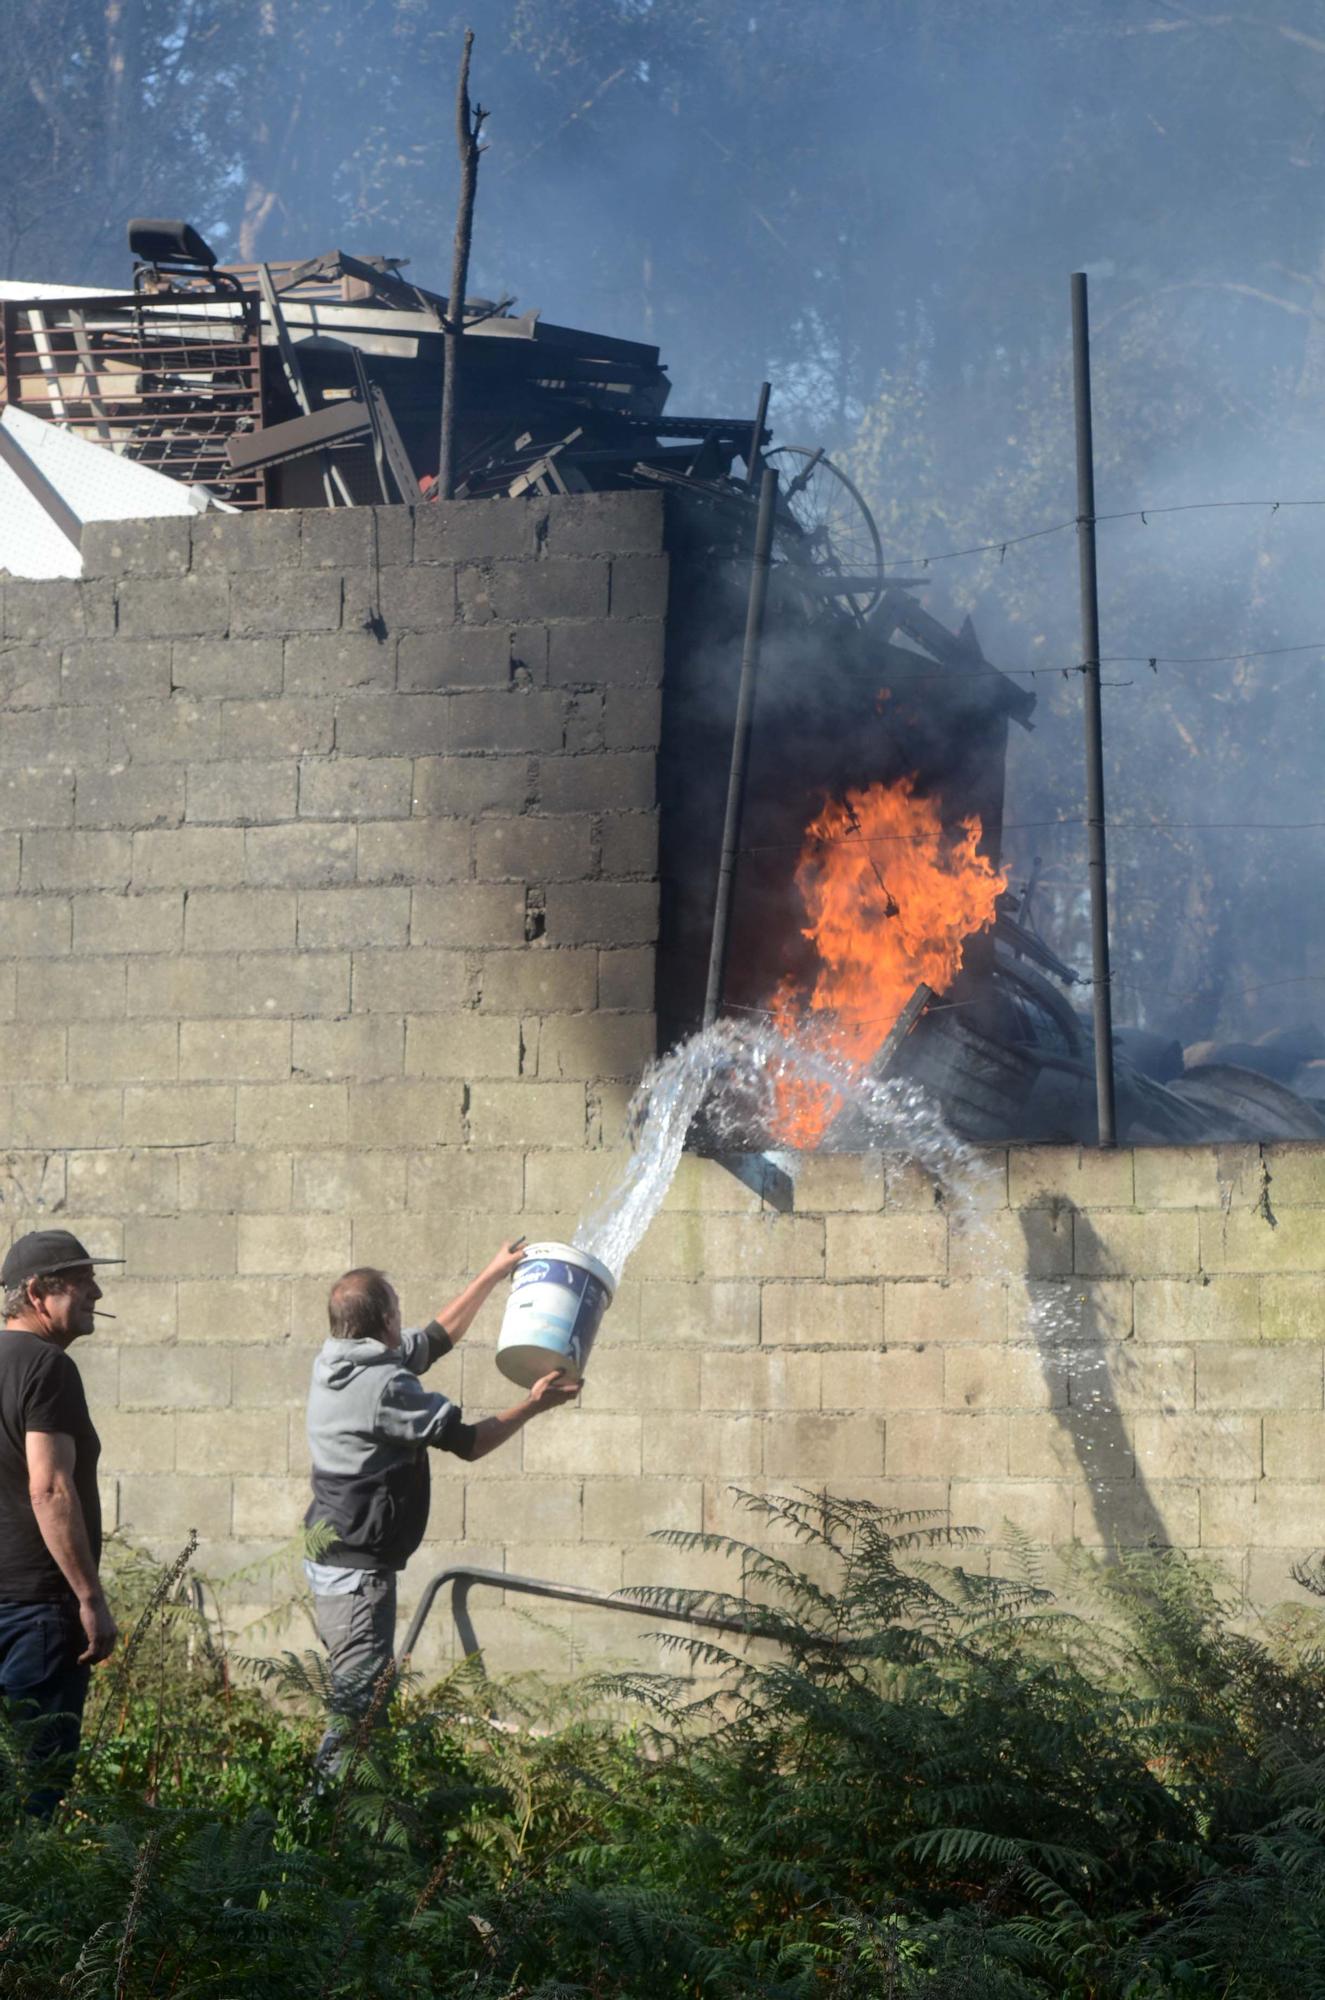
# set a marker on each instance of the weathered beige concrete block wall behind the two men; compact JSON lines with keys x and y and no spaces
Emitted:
{"x":327,"y":935}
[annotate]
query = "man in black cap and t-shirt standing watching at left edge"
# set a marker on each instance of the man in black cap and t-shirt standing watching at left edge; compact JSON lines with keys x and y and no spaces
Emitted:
{"x":55,"y":1621}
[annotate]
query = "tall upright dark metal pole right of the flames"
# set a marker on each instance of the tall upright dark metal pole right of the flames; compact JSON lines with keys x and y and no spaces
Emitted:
{"x":1094,"y":731}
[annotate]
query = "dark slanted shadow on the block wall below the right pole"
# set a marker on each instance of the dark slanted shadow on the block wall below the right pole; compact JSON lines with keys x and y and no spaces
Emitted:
{"x":1076,"y":1341}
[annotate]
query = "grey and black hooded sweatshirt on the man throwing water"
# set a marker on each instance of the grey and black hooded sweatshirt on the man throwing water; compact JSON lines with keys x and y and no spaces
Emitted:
{"x":371,"y":1423}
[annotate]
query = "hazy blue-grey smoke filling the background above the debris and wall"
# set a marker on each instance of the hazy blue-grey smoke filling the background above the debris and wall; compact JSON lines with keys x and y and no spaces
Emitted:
{"x":878,"y":207}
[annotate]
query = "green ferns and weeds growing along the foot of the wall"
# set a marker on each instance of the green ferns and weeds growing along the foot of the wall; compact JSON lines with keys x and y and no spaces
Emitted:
{"x":912,"y":1781}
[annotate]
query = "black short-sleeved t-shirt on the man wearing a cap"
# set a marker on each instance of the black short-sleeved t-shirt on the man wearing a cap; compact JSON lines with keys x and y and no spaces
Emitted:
{"x":39,"y":1391}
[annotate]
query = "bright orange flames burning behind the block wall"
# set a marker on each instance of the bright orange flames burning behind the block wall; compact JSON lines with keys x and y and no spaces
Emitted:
{"x":892,"y":901}
